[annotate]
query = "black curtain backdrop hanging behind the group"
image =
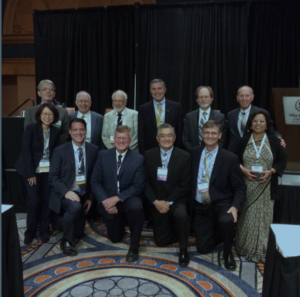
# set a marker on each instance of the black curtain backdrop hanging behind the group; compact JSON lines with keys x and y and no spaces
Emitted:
{"x":224,"y":45}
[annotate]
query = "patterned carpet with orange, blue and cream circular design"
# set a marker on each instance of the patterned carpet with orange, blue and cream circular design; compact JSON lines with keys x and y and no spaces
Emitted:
{"x":100,"y":269}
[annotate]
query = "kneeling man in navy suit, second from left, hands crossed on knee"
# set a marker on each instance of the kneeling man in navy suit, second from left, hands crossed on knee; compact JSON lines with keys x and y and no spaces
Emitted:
{"x":118,"y":182}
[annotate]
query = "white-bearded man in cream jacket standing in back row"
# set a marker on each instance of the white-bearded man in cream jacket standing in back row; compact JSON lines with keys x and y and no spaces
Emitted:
{"x":120,"y":115}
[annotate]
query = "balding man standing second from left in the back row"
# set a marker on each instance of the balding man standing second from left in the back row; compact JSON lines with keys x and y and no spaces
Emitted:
{"x":93,"y":120}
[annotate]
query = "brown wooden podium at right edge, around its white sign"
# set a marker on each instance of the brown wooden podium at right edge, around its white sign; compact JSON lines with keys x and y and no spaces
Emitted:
{"x":290,"y":133}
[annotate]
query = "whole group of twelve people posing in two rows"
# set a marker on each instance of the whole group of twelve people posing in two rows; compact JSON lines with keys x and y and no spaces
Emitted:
{"x":210,"y":174}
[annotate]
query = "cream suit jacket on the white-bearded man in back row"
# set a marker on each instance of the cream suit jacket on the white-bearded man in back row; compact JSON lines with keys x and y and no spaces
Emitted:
{"x":131,"y":120}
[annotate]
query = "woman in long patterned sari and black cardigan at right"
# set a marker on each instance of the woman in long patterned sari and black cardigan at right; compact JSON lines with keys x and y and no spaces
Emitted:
{"x":262,"y":159}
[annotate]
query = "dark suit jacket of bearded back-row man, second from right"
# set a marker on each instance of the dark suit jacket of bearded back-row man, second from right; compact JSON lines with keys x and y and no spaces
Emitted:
{"x":190,"y":136}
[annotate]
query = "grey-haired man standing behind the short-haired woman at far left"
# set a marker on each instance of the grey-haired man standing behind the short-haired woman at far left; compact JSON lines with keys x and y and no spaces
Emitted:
{"x":46,"y":90}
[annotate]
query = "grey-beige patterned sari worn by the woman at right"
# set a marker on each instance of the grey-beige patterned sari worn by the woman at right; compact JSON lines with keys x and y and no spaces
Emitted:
{"x":257,"y":215}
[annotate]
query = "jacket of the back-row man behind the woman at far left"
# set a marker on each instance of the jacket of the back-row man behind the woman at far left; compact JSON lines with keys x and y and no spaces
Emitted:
{"x":63,"y":117}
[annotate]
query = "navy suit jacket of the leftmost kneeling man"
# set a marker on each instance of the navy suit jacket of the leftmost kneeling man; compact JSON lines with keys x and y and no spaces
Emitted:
{"x":62,"y":172}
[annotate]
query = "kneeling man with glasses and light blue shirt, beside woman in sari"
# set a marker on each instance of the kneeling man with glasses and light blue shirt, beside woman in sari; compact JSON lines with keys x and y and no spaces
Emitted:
{"x":218,"y":192}
